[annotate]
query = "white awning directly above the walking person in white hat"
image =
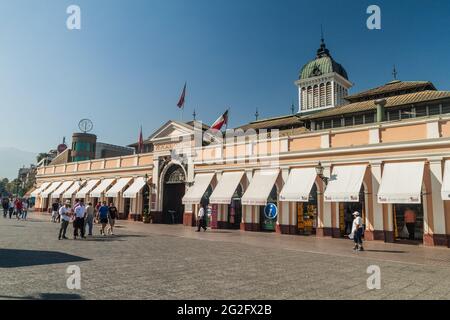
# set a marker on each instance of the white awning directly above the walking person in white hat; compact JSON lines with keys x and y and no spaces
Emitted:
{"x":345,"y":184}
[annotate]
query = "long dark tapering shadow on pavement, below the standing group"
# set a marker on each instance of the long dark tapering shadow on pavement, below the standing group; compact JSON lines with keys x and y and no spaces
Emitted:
{"x":13,"y":258}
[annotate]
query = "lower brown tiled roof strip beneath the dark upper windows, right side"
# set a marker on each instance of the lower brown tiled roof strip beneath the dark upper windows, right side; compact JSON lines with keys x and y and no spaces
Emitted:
{"x":404,"y":99}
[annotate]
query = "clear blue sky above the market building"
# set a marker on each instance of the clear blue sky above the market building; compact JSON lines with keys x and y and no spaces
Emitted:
{"x":127,"y":65}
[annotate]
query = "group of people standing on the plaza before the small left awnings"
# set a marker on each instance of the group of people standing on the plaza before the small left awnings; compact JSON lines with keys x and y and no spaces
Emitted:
{"x":83,"y":217}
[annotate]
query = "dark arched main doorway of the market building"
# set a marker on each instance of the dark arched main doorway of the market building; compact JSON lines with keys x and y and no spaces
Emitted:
{"x":173,"y":192}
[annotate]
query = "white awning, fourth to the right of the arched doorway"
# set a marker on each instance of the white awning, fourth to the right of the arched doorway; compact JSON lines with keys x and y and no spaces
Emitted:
{"x":298,"y":185}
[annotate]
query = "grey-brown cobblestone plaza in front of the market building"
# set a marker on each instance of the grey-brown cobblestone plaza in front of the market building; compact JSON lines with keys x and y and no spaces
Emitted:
{"x":173,"y":262}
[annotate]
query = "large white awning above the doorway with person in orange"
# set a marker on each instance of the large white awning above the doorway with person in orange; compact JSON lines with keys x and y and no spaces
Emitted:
{"x":401,"y":183}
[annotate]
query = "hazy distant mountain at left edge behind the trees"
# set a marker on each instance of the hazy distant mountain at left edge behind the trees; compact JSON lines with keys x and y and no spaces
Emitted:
{"x":12,"y":159}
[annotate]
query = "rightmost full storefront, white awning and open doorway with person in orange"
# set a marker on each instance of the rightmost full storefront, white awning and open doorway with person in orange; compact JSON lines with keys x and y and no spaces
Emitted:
{"x":401,"y":189}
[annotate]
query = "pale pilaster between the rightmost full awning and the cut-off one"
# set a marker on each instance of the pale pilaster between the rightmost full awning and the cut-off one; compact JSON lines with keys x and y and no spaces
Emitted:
{"x":436,"y":175}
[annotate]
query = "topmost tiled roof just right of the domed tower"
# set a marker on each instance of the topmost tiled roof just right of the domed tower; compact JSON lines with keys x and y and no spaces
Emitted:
{"x":392,"y":87}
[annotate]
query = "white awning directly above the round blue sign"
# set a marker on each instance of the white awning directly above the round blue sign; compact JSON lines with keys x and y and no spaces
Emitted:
{"x":260,"y":187}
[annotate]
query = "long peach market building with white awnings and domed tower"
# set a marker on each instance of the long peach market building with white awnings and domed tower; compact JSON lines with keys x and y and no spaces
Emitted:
{"x":384,"y":152}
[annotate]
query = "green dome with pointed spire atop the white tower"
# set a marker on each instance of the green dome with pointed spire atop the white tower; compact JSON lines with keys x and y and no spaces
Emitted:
{"x":323,"y":64}
